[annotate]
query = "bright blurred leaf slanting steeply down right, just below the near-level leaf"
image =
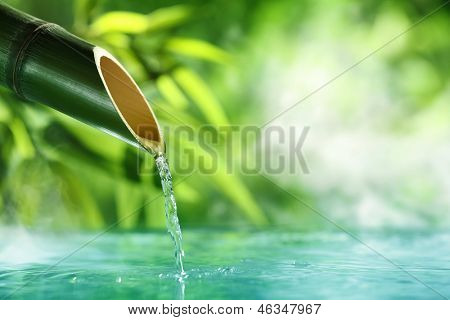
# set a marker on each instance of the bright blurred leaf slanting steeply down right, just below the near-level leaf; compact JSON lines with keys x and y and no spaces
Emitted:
{"x":202,"y":95}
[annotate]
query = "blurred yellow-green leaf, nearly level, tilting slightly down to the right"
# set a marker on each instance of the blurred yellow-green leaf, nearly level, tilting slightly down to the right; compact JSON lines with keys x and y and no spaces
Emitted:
{"x":198,"y":49}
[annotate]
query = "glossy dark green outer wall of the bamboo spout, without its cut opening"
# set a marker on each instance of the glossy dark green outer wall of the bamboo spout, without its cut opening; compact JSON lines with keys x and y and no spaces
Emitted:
{"x":42,"y":62}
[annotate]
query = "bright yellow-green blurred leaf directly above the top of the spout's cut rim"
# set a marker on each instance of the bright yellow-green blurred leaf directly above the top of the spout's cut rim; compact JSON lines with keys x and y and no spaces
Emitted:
{"x":120,"y":21}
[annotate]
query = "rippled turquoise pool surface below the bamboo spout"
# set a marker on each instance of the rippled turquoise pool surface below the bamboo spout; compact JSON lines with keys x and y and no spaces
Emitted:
{"x":225,"y":265}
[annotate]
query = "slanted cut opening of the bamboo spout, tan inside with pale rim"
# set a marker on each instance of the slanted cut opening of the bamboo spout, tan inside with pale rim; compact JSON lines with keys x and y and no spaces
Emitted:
{"x":130,"y":102}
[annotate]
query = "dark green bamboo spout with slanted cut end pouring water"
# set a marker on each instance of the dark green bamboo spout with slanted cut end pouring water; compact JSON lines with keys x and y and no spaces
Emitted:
{"x":43,"y":62}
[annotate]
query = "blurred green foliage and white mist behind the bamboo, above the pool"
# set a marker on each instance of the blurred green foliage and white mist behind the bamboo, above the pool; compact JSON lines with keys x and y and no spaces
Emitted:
{"x":378,"y":148}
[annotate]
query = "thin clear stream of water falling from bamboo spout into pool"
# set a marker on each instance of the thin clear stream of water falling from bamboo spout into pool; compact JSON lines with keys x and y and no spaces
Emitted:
{"x":173,"y":225}
